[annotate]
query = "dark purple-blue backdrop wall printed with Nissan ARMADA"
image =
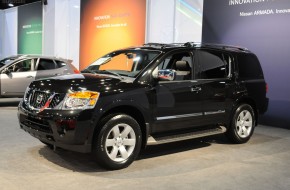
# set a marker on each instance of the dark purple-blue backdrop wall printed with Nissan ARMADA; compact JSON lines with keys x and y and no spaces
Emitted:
{"x":266,"y":32}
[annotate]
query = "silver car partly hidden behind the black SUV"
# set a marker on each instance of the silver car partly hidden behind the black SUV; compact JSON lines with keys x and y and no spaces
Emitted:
{"x":17,"y":72}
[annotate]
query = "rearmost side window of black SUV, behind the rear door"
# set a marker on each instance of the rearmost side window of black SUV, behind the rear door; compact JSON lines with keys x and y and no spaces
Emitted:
{"x":249,"y":66}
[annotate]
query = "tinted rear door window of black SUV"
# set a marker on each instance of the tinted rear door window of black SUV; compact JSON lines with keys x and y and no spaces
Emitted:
{"x":214,"y":64}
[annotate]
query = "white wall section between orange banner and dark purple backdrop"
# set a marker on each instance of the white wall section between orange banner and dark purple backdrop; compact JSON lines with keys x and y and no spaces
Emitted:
{"x":174,"y":21}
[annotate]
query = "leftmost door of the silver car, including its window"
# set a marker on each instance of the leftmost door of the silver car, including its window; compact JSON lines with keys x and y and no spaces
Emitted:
{"x":20,"y":75}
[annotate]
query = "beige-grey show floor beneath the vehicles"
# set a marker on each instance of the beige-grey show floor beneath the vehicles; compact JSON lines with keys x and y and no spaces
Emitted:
{"x":207,"y":163}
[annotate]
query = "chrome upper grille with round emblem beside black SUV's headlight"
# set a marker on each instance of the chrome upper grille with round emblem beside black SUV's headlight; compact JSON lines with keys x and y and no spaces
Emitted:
{"x":37,"y":99}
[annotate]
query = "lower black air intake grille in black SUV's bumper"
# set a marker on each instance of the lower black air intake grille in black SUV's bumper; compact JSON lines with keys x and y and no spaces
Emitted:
{"x":37,"y":124}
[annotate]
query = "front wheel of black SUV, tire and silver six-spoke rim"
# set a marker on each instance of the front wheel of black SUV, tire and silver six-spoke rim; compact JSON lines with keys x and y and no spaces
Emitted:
{"x":118,"y":143}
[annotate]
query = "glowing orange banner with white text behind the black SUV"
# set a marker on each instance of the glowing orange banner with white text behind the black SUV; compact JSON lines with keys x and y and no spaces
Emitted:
{"x":109,"y":25}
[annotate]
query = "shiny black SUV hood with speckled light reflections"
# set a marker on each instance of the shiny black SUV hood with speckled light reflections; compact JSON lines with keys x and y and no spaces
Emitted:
{"x":79,"y":82}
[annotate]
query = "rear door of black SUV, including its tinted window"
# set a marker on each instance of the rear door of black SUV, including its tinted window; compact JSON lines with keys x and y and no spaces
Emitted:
{"x":215,"y":83}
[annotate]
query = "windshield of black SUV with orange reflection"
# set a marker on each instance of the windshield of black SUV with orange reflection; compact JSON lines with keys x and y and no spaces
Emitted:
{"x":122,"y":63}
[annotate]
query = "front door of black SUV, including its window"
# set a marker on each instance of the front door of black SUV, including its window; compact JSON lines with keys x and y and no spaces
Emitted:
{"x":178,"y":104}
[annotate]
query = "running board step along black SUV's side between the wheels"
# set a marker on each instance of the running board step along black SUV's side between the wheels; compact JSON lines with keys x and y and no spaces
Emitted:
{"x":173,"y":138}
